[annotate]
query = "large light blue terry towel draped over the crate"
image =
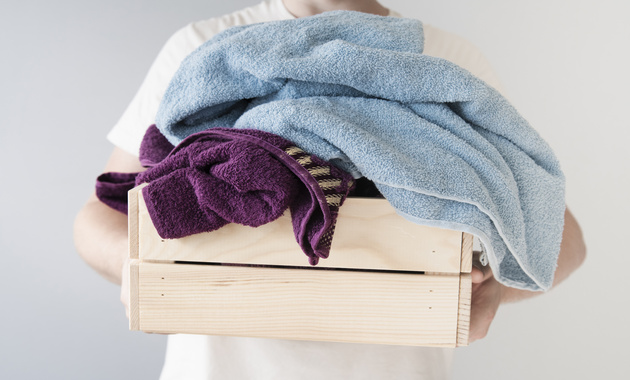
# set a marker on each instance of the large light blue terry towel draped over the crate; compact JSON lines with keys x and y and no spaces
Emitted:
{"x":443,"y":147}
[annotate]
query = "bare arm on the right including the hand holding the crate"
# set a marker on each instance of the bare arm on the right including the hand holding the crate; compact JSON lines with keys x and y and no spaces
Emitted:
{"x":488,"y":294}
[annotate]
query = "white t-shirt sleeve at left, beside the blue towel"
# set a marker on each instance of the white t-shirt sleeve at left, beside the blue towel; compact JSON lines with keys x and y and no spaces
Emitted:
{"x":140,"y":113}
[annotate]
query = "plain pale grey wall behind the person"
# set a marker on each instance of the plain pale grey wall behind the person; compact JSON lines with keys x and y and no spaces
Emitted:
{"x":70,"y":67}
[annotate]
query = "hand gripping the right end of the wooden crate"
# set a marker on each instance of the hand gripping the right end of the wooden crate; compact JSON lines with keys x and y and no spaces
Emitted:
{"x":486,"y":297}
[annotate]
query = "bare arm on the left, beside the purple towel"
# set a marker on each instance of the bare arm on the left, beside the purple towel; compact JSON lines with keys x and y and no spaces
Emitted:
{"x":100,"y":233}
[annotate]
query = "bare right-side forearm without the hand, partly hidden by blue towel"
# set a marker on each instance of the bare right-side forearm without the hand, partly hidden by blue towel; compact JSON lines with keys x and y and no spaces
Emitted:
{"x":572,"y":255}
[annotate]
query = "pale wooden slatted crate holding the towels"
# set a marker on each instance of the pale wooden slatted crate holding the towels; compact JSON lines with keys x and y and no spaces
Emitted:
{"x":387,"y":281}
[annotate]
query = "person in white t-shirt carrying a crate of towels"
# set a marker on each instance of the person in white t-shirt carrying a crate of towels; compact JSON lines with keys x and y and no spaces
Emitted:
{"x":101,"y":233}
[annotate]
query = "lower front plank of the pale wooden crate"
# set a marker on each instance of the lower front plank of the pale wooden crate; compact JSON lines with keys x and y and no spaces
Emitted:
{"x":324,"y":305}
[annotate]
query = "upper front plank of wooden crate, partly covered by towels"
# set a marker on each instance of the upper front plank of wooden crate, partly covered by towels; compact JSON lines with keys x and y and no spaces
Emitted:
{"x":369,"y":235}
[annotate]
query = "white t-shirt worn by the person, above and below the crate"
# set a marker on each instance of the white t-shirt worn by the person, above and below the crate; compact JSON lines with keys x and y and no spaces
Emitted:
{"x":193,"y":357}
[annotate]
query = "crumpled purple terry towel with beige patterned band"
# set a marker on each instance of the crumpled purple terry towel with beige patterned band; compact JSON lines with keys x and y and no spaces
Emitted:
{"x":249,"y":177}
